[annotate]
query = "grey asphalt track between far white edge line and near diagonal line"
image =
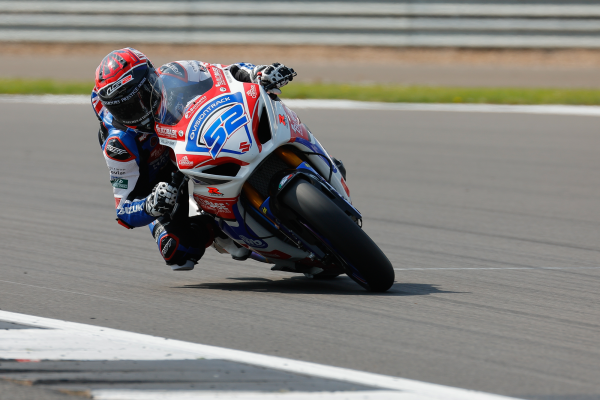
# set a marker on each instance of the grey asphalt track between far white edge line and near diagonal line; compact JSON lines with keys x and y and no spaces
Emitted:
{"x":491,"y":220}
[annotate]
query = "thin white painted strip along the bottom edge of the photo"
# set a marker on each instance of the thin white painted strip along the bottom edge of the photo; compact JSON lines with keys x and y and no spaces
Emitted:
{"x":116,"y":394}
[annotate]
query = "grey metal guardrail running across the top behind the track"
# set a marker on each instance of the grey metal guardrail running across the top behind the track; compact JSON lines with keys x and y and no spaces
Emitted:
{"x":466,"y":23}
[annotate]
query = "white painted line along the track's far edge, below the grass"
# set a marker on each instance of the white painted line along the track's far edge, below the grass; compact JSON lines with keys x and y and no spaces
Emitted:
{"x":355,"y":105}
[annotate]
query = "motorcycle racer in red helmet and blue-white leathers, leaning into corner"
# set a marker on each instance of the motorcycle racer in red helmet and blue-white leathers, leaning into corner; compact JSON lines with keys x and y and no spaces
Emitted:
{"x":141,"y":168}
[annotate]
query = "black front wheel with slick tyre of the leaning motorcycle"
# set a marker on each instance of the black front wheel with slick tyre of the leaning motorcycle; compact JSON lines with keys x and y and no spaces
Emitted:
{"x":363,"y":261}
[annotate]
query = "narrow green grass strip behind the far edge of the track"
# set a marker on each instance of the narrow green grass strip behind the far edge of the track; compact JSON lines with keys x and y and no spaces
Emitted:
{"x":383,"y":93}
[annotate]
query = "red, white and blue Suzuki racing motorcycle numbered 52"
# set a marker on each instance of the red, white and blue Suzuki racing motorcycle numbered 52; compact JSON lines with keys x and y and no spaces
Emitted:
{"x":264,"y":178}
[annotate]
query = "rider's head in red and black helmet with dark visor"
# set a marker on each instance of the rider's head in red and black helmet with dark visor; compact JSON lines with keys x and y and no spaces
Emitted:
{"x":124,"y":81}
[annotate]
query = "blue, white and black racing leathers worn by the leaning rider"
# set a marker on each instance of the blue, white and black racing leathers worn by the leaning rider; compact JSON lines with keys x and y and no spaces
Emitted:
{"x":137,"y":162}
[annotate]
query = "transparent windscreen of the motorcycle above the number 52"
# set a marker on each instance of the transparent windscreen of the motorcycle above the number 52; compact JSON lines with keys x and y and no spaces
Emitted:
{"x":179,"y":84}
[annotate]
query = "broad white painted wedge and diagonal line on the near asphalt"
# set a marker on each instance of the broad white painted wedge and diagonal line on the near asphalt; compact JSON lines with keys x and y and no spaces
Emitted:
{"x":73,"y":341}
